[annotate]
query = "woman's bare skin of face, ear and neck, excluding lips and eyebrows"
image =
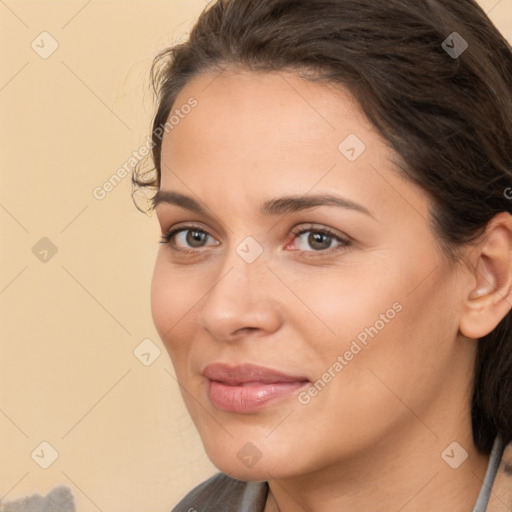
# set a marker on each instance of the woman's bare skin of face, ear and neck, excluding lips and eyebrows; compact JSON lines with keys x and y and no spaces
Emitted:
{"x":372,"y":439}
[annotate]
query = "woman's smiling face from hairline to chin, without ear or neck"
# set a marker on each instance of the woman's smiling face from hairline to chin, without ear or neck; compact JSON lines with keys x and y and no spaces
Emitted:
{"x":347,"y":298}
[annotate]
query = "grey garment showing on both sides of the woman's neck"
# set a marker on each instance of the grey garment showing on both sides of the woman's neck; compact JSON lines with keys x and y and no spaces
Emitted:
{"x":221,"y":493}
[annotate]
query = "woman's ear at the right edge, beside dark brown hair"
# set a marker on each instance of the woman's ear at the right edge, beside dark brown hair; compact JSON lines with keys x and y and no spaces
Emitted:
{"x":487,"y":297}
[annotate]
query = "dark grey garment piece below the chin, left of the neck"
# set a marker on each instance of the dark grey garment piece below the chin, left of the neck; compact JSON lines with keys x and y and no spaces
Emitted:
{"x":221,"y":492}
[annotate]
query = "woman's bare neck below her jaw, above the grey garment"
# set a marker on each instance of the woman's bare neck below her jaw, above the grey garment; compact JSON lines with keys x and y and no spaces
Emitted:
{"x":399,"y":473}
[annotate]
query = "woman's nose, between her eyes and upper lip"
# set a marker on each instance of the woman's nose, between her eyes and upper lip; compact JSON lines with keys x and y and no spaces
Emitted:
{"x":242,"y":302}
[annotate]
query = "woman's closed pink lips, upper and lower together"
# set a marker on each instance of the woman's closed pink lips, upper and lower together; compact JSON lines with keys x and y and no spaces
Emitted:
{"x":248,"y":387}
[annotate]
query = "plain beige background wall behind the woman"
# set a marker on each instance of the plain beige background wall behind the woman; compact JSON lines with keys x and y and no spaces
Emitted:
{"x":69,"y":326}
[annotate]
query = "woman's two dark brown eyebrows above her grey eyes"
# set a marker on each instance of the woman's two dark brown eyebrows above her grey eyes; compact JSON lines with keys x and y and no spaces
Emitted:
{"x":278,"y":206}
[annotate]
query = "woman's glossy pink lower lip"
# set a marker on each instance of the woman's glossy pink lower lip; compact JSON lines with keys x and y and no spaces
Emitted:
{"x":249,"y":397}
